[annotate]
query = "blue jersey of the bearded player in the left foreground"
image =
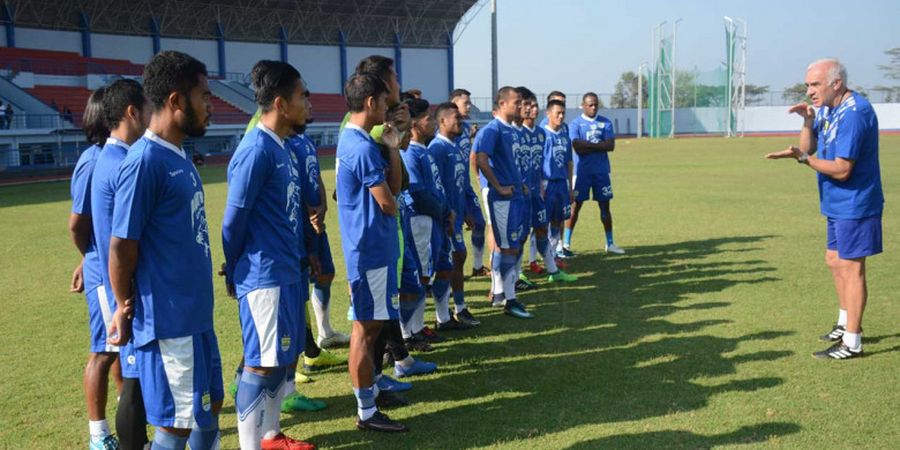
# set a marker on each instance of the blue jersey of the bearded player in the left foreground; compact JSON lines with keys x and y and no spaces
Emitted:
{"x":160,"y":203}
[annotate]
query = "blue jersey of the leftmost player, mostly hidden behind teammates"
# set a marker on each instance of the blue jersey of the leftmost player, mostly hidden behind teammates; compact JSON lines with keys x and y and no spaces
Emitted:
{"x":81,"y":205}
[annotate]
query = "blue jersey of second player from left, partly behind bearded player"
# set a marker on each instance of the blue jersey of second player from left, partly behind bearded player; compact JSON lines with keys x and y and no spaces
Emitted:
{"x":103,"y":202}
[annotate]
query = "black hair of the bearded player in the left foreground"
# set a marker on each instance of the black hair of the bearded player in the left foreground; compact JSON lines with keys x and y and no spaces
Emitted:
{"x":169,"y":72}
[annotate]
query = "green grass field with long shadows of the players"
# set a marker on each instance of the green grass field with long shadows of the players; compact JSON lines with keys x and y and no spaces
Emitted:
{"x":699,"y":337}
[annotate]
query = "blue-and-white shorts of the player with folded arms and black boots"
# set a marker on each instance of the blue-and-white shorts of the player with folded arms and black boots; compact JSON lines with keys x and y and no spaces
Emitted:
{"x":373,"y":296}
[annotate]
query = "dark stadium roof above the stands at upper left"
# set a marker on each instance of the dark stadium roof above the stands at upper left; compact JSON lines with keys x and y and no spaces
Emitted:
{"x":420,"y":23}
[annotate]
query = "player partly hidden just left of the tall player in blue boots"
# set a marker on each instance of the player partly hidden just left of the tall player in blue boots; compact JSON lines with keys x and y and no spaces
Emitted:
{"x":472,"y":217}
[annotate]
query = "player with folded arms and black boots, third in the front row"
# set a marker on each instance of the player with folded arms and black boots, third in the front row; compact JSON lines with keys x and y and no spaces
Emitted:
{"x":367,"y":211}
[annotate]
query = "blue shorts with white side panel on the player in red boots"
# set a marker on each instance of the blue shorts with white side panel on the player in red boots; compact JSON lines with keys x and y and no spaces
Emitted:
{"x":273,"y":326}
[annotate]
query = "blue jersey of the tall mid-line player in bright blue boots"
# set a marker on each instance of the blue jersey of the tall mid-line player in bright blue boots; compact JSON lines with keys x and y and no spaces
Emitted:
{"x":500,"y":142}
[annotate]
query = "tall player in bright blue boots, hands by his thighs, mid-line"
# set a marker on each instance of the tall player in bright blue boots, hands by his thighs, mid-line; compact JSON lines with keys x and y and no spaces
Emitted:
{"x":494,"y":151}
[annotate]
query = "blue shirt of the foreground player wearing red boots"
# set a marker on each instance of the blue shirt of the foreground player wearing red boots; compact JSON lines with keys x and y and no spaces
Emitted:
{"x":263,"y":179}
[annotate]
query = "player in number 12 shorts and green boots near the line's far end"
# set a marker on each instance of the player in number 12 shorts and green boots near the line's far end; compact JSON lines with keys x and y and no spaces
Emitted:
{"x":557,"y":168}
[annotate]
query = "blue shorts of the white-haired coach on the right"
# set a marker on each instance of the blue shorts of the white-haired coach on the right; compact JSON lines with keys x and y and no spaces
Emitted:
{"x":854,"y":238}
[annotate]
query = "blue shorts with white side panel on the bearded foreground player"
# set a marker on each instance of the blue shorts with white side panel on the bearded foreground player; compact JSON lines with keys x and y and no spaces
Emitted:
{"x":180,"y":380}
